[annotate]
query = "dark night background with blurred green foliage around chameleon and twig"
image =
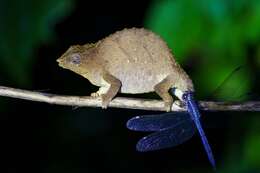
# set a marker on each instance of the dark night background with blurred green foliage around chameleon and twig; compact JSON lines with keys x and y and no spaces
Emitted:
{"x":210,"y":39}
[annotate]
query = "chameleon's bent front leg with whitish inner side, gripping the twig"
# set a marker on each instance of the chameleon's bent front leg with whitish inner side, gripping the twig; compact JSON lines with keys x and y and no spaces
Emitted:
{"x":109,"y":90}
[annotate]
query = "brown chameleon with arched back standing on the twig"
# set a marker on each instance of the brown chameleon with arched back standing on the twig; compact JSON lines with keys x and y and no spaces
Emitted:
{"x":129,"y":61}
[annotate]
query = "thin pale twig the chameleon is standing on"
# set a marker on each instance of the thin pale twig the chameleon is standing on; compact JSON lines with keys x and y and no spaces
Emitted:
{"x":122,"y":102}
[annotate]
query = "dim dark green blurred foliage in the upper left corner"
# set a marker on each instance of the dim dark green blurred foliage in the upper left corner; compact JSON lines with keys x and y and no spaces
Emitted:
{"x":24,"y":26}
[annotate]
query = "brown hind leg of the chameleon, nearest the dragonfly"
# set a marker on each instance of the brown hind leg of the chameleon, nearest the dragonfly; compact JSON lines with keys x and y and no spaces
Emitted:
{"x":162,"y":89}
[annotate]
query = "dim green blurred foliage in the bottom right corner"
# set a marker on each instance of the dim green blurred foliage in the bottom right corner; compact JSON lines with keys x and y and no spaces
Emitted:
{"x":243,"y":157}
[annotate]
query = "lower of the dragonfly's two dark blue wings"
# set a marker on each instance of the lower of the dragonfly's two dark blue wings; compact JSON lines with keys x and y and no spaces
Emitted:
{"x":167,"y":138}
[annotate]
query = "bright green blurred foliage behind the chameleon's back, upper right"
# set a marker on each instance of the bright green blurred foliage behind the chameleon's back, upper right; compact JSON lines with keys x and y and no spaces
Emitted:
{"x":215,"y":33}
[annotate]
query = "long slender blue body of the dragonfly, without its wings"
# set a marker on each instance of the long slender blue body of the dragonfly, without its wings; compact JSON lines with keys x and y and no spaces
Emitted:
{"x":194,"y":112}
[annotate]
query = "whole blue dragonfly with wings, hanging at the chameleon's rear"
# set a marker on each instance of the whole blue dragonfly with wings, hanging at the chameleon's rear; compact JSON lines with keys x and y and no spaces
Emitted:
{"x":171,"y":129}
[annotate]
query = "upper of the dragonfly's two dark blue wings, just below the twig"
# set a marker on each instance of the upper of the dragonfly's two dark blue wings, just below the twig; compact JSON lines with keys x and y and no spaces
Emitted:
{"x":157,"y":122}
